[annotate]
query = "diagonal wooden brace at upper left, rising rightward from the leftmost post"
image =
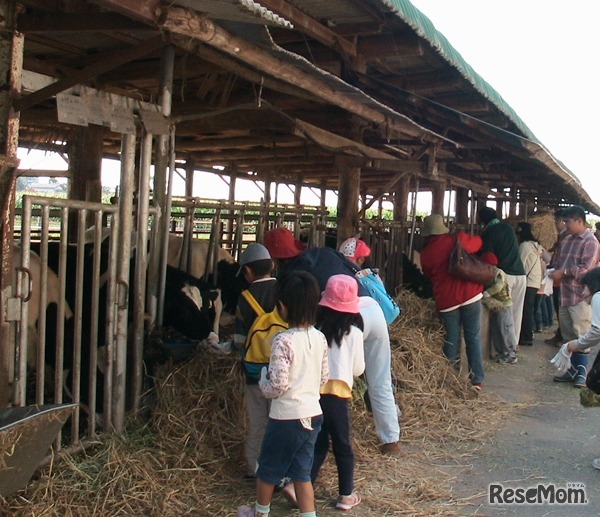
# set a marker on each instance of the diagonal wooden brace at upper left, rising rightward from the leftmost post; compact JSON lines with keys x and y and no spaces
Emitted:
{"x":103,"y":64}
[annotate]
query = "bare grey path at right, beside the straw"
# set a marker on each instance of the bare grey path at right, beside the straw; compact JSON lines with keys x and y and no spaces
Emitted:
{"x":551,"y":440}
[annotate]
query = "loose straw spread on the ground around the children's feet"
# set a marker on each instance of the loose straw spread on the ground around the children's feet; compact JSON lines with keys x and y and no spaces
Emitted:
{"x":188,"y":460}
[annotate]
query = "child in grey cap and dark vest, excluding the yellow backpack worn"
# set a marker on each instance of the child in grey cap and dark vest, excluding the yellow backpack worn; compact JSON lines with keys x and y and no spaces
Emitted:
{"x":257,"y":266}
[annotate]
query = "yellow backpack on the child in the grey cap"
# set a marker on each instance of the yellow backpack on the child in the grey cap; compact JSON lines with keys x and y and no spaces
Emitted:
{"x":257,"y":350}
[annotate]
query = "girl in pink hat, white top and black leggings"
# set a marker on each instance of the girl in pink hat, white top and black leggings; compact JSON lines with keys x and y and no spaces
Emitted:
{"x":340,"y":320}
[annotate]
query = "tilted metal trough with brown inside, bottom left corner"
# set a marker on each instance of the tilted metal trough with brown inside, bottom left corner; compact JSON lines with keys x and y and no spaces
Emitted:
{"x":26,"y":434}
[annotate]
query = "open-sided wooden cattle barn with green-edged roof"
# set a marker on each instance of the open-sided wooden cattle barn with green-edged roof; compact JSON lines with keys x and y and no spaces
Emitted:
{"x":361,"y":97}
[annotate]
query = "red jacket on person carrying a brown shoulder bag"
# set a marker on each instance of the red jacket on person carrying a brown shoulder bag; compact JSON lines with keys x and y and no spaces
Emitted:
{"x":449,"y":290}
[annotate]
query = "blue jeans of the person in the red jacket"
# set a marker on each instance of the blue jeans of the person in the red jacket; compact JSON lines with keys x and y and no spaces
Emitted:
{"x":466,"y":317}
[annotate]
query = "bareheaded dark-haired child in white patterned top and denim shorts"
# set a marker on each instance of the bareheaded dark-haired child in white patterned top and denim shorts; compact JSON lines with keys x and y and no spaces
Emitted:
{"x":297,"y":369}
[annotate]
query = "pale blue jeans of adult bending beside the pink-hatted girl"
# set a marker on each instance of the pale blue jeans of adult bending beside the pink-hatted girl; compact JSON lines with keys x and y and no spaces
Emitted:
{"x":378,"y":371}
